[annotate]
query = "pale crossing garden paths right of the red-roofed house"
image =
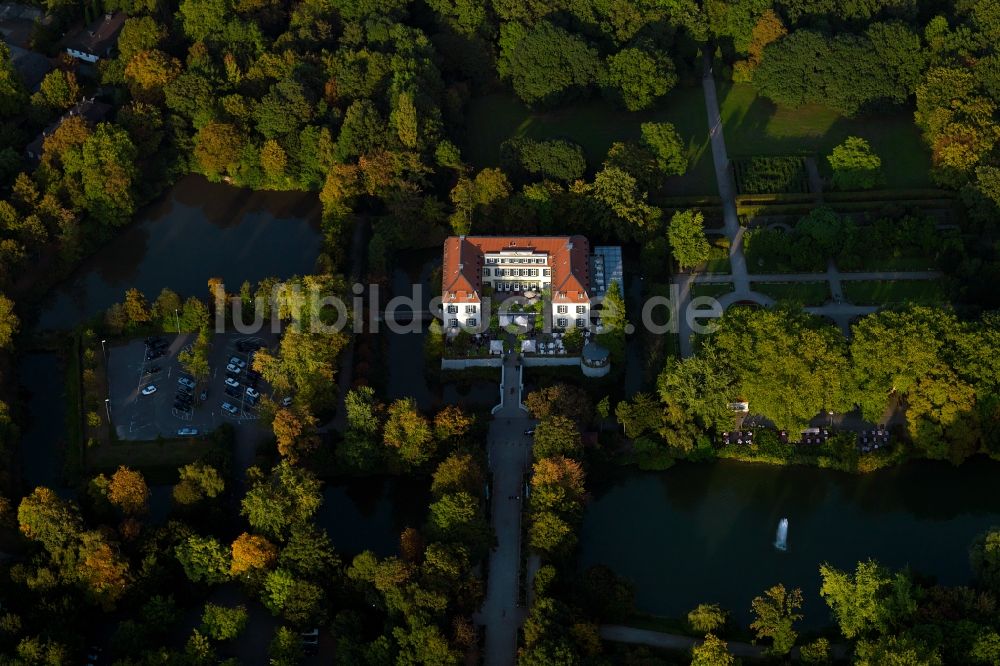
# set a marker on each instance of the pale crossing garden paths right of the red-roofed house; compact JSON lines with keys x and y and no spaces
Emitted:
{"x":842,"y":313}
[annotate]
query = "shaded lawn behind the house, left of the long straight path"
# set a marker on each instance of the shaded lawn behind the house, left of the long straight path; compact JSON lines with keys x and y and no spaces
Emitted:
{"x":593,"y":124}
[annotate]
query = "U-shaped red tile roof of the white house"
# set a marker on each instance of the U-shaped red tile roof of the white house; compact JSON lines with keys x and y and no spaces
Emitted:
{"x":463,"y":262}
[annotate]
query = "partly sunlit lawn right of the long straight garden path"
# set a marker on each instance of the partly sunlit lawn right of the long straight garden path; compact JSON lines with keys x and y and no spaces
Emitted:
{"x":756,"y":126}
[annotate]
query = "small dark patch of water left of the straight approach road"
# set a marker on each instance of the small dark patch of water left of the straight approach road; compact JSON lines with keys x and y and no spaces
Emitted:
{"x":370,"y":513}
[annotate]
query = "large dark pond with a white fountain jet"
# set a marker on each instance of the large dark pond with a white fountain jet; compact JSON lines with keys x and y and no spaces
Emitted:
{"x":705,"y":532}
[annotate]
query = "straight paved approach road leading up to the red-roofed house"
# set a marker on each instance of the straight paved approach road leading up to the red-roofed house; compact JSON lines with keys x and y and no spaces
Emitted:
{"x":510,"y":456}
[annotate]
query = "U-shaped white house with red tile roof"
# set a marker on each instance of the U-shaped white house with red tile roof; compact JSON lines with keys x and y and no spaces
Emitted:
{"x":512,"y":265}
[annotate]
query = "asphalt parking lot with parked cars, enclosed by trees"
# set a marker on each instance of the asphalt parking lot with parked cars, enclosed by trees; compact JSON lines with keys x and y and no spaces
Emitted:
{"x":148,"y":397}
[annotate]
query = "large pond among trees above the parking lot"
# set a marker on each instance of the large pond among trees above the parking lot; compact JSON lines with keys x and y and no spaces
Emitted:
{"x":196,"y":231}
